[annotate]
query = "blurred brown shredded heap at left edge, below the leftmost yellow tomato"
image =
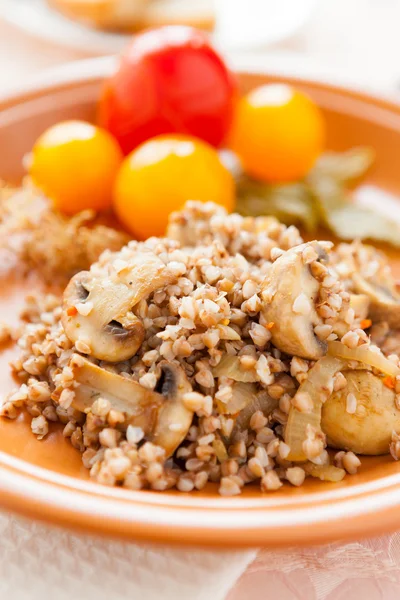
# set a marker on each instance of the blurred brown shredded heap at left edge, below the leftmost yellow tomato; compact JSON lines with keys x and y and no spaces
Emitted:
{"x":48,"y":242}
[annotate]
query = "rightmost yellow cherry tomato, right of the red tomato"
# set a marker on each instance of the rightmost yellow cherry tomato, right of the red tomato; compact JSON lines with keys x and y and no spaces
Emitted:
{"x":278,"y":132}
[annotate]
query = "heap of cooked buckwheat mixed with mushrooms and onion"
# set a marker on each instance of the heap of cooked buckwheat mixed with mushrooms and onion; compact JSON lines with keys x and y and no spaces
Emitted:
{"x":177,"y":361}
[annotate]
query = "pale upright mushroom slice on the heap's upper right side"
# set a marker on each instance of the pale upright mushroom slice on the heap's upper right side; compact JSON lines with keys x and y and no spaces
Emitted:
{"x":288,"y":278}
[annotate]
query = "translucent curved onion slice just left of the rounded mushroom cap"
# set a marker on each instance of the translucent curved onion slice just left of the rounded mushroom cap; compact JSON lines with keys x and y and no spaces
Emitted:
{"x":318,"y":387}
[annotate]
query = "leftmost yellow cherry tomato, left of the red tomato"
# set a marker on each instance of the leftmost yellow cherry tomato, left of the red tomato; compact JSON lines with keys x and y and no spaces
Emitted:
{"x":75,"y":164}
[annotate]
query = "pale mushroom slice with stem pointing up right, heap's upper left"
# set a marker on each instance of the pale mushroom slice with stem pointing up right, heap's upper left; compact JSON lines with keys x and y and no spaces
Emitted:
{"x":109,"y":329}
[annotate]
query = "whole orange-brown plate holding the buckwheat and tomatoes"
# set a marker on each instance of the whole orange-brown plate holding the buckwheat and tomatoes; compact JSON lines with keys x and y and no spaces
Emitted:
{"x":46,"y":479}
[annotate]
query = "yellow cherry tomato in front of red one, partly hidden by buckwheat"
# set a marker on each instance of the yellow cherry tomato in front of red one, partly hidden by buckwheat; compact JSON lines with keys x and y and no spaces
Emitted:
{"x":163,"y":173}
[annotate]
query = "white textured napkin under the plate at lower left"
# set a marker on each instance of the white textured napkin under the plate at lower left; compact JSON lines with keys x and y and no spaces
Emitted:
{"x":39,"y":561}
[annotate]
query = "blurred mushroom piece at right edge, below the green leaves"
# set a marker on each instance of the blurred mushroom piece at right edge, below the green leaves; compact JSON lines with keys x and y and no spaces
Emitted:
{"x":384,"y":300}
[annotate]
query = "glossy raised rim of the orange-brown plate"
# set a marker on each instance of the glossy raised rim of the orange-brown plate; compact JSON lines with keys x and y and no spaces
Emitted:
{"x":223,"y":522}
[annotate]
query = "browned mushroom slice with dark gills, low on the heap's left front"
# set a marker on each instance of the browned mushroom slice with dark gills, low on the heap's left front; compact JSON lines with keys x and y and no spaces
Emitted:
{"x":161,"y":414}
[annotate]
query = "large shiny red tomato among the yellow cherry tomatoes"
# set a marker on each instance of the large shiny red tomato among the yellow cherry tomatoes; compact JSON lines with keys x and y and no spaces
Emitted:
{"x":170,"y":80}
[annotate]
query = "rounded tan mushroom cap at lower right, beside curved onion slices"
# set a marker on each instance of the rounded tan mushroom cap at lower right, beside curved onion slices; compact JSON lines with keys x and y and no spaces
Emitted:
{"x":369,"y":429}
